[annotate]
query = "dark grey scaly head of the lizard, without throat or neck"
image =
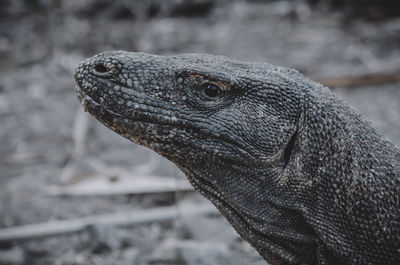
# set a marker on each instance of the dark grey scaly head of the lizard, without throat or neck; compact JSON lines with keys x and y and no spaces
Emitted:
{"x":193,"y":107}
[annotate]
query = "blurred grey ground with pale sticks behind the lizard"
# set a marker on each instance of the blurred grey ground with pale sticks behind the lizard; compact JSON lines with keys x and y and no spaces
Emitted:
{"x":73,"y":192}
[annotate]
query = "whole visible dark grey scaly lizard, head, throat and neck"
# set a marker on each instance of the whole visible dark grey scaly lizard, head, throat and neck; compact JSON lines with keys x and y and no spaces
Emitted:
{"x":298,"y":173}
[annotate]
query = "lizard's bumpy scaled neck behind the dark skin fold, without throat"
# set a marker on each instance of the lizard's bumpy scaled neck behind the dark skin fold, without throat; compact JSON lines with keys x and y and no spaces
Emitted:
{"x":343,"y":154}
